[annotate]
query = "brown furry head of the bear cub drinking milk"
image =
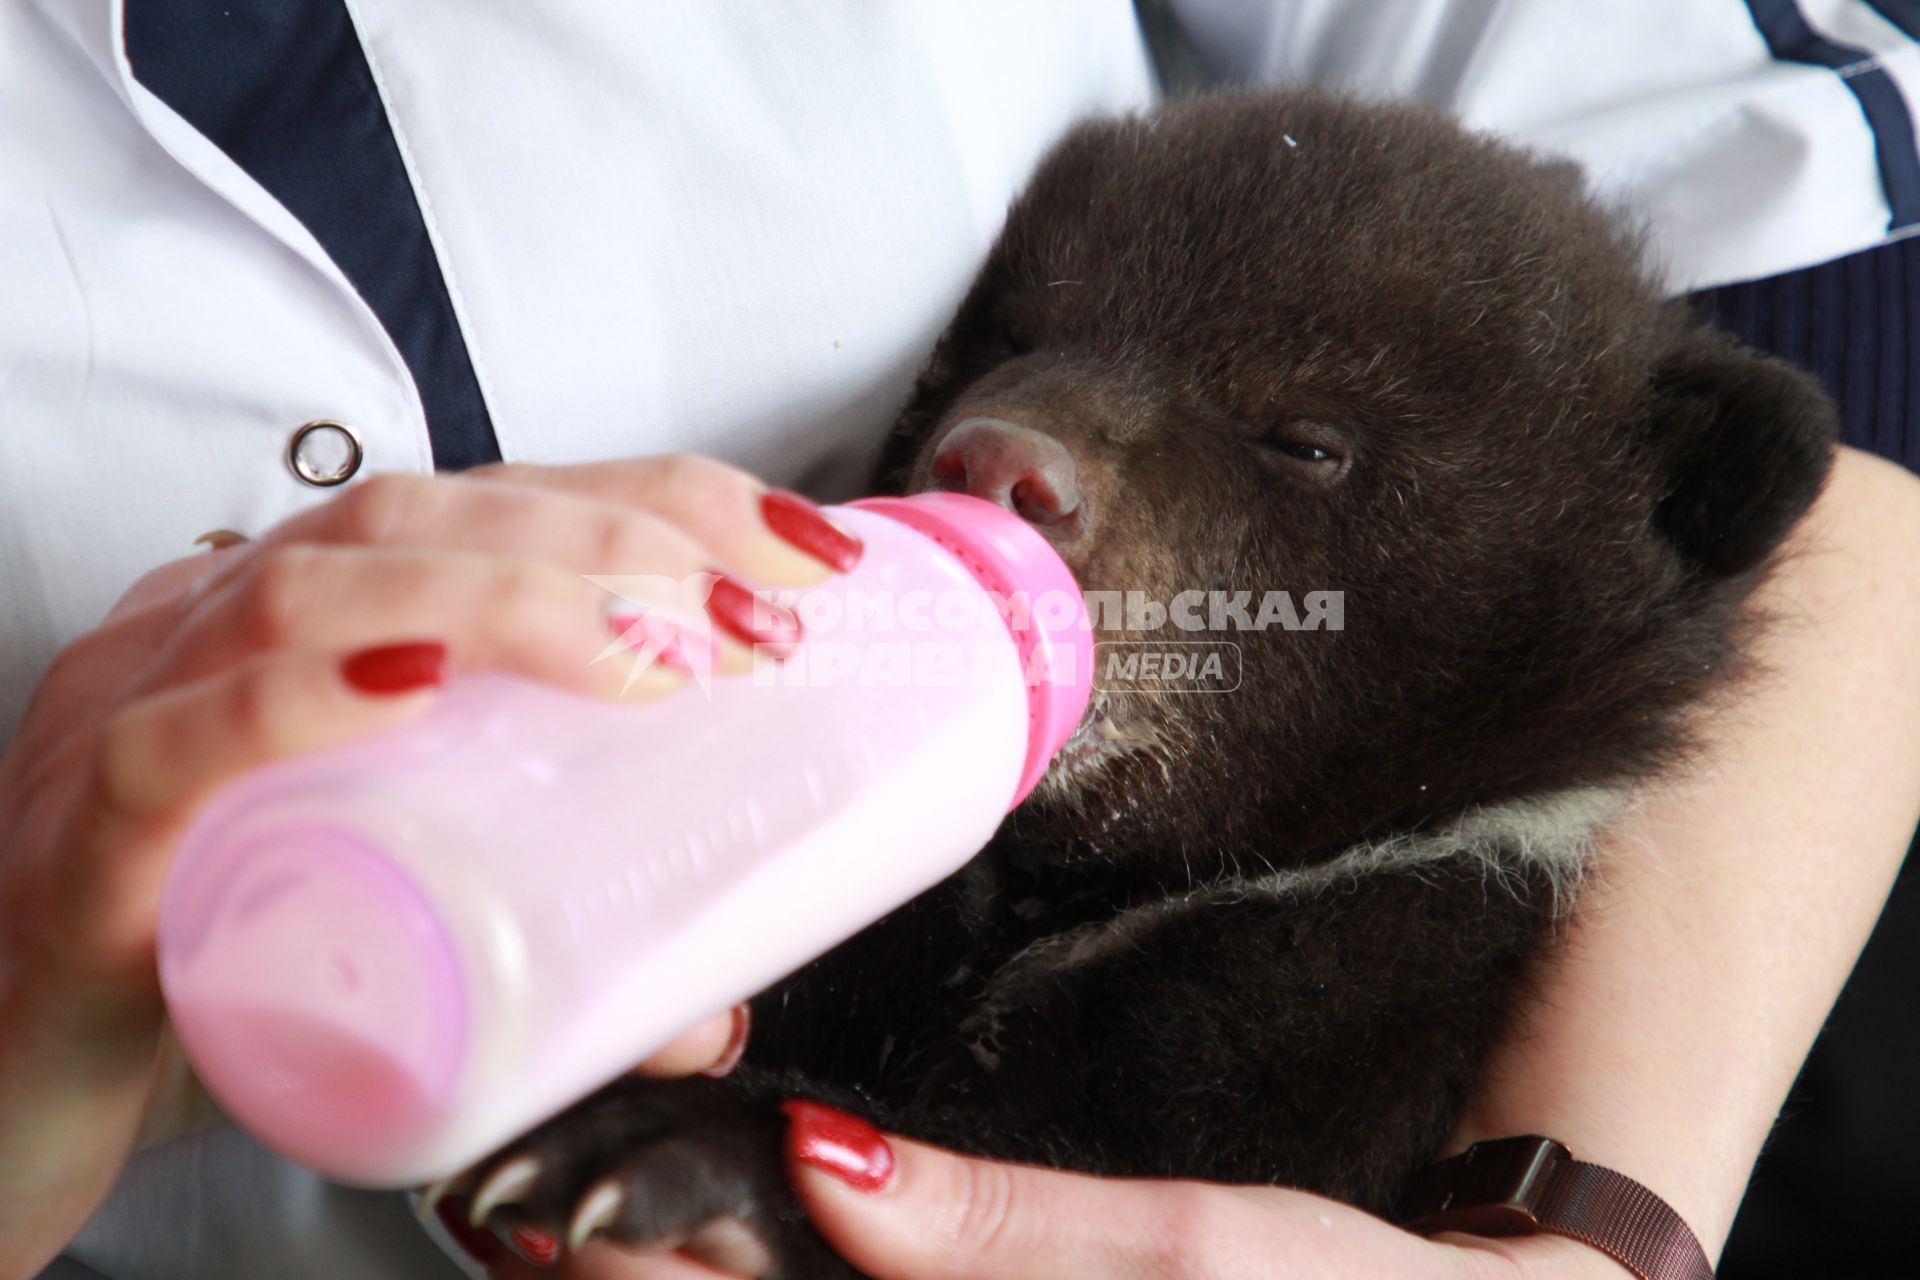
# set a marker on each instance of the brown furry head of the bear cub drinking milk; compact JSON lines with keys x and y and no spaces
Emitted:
{"x":1293,"y":344}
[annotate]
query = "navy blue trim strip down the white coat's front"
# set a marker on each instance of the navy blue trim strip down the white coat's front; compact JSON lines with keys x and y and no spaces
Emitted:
{"x":283,"y":87}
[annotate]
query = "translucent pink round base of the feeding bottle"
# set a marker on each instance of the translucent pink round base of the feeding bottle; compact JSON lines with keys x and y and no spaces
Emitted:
{"x":318,"y":997}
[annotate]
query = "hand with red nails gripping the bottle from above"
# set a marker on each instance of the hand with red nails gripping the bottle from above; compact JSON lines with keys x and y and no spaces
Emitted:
{"x":335,"y":625}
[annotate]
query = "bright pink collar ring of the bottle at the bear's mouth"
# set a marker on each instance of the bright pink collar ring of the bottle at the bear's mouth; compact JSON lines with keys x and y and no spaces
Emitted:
{"x":1036,"y":594}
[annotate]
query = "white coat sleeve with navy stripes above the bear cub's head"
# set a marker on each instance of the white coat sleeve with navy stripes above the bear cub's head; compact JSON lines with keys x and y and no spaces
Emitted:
{"x":1740,"y":164}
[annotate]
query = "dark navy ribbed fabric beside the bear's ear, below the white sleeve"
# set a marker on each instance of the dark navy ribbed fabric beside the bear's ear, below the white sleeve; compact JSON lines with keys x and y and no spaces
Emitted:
{"x":1852,"y":323}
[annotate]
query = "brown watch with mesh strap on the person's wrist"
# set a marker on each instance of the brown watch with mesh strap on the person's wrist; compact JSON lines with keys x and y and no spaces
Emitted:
{"x":1518,"y":1187}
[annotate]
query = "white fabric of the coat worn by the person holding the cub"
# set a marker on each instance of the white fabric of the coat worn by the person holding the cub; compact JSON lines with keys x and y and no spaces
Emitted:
{"x":694,"y":225}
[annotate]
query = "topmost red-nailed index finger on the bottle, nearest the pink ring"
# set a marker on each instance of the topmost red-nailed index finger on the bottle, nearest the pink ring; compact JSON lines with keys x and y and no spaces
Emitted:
{"x":771,"y":536}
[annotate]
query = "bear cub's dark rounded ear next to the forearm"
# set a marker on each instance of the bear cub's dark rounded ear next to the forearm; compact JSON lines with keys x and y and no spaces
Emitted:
{"x":1744,"y":444}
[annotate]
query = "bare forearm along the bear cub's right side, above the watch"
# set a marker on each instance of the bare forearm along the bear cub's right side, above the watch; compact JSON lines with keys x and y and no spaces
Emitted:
{"x":1706,"y":957}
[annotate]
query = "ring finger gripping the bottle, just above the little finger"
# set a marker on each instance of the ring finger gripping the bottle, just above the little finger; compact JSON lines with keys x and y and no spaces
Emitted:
{"x":498,"y":613}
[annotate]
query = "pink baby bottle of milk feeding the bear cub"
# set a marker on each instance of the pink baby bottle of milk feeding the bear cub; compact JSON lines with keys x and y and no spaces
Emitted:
{"x":389,"y":959}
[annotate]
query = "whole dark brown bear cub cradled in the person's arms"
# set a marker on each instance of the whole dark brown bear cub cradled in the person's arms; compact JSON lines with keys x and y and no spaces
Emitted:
{"x":1289,"y":344}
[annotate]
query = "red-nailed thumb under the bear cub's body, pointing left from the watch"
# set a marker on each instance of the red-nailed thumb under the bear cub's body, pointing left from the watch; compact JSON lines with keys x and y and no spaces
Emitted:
{"x":907,"y":1212}
